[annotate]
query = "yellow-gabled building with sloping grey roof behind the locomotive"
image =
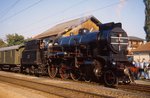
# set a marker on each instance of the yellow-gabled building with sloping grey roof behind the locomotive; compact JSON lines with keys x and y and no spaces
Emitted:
{"x":70,"y":27}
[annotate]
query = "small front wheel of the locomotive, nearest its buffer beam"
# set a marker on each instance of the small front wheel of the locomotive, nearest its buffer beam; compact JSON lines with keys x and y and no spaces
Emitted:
{"x":110,"y":79}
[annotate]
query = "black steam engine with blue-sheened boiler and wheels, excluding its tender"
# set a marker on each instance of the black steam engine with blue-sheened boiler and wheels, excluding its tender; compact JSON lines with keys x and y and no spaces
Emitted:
{"x":100,"y":55}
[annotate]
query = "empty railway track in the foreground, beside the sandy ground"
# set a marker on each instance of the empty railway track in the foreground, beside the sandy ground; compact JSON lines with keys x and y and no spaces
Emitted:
{"x":52,"y":89}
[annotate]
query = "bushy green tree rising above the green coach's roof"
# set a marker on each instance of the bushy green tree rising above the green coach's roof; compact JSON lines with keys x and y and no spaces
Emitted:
{"x":14,"y":39}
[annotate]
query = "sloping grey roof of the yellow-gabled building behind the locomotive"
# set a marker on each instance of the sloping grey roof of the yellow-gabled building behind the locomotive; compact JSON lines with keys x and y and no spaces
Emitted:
{"x":62,"y":27}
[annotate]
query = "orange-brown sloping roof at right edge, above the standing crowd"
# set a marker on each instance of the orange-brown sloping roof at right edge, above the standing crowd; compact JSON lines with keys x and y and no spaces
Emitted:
{"x":143,"y":48}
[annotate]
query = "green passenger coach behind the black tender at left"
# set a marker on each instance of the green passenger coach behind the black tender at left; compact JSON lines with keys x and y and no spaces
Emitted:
{"x":11,"y":56}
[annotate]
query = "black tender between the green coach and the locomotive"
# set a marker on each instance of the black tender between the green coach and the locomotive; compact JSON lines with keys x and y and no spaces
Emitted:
{"x":33,"y":56}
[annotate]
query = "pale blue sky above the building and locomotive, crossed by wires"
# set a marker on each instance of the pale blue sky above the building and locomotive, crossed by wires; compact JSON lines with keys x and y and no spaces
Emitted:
{"x":32,"y":17}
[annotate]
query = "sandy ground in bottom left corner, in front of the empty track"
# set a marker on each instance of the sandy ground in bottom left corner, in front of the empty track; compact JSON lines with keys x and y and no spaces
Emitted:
{"x":13,"y":91}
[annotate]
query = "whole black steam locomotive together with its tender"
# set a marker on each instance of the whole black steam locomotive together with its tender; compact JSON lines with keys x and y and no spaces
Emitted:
{"x":89,"y":55}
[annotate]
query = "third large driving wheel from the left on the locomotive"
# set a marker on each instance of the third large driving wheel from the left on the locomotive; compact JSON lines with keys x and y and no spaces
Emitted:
{"x":75,"y":74}
